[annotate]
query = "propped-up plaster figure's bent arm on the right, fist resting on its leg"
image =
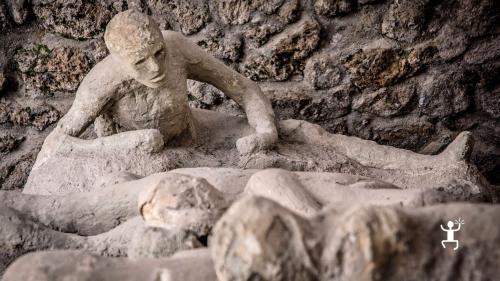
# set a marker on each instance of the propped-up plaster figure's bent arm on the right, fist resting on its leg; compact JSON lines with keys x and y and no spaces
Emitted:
{"x":203,"y":67}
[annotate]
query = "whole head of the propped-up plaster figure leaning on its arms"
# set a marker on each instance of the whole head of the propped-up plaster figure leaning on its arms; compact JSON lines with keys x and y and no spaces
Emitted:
{"x":136,"y":40}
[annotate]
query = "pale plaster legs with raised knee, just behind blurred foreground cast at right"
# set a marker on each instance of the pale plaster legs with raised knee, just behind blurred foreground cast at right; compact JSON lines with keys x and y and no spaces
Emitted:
{"x":306,"y":193}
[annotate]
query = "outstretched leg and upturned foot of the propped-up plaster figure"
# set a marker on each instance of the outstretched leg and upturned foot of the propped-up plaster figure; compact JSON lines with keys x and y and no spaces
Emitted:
{"x":400,"y":167}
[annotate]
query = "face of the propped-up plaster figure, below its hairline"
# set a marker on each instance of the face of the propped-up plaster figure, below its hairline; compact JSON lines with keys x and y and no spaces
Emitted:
{"x":148,"y":65}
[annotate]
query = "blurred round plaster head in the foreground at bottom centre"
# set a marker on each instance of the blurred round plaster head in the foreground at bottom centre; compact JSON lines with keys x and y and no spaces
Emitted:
{"x":258,"y":239}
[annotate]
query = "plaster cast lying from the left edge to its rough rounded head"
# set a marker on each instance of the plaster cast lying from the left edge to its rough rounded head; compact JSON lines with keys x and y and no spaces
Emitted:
{"x":197,"y":204}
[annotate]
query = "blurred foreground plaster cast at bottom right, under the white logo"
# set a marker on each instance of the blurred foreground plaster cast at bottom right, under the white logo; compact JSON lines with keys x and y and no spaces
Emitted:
{"x":258,"y":239}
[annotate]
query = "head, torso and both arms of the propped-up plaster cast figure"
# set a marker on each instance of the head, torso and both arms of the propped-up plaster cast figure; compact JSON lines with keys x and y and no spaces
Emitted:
{"x":163,"y":62}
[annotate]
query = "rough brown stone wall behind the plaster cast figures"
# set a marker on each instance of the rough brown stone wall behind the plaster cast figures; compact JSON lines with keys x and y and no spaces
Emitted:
{"x":407,"y":73}
